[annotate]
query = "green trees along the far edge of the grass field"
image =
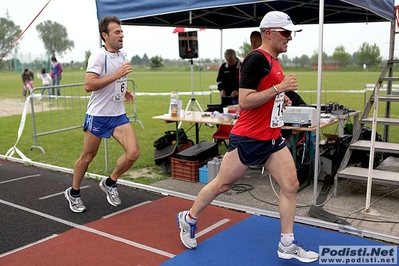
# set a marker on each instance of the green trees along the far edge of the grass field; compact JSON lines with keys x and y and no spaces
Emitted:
{"x":56,"y":43}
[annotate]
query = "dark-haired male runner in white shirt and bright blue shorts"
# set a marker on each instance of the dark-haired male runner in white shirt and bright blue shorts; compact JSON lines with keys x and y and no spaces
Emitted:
{"x":106,"y":79}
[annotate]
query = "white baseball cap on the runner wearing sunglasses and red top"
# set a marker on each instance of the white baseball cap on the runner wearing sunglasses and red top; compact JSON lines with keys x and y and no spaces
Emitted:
{"x":278,"y":19}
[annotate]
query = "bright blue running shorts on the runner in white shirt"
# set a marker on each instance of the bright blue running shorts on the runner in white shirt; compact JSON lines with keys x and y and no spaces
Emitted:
{"x":103,"y":126}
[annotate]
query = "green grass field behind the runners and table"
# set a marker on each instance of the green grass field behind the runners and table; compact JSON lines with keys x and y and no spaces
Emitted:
{"x":62,"y":149}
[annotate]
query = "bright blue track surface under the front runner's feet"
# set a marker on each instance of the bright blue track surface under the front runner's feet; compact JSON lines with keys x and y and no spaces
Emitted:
{"x":254,"y":241}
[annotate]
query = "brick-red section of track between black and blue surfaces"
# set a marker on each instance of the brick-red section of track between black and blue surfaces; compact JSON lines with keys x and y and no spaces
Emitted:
{"x":145,"y":235}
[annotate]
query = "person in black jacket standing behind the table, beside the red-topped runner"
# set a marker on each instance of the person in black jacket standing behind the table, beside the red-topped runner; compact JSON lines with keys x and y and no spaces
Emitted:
{"x":227,"y":80}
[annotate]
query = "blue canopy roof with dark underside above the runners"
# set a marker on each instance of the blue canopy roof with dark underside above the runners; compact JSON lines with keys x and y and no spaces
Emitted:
{"x":223,"y":14}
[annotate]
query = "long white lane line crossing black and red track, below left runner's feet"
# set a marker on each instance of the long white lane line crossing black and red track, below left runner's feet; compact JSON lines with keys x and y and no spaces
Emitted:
{"x":91,"y":230}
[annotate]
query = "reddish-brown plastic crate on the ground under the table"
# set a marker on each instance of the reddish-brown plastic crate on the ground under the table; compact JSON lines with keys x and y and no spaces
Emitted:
{"x":185,"y":170}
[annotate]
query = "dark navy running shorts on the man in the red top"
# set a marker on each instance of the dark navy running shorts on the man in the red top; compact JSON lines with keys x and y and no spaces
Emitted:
{"x":252,"y":151}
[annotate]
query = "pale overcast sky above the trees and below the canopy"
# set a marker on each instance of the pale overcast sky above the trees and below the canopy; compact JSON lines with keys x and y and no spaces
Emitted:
{"x":79,"y":17}
